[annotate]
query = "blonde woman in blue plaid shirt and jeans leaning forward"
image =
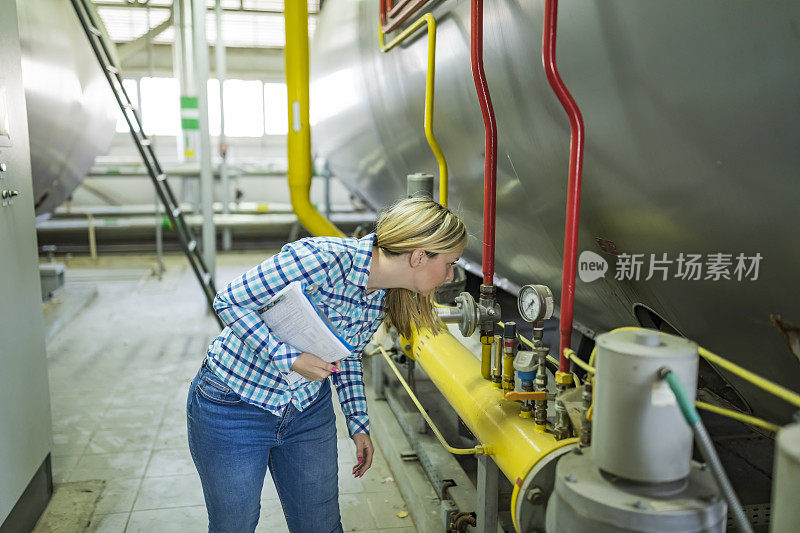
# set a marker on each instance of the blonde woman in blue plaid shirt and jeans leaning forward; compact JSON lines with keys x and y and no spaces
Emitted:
{"x":243,"y":416}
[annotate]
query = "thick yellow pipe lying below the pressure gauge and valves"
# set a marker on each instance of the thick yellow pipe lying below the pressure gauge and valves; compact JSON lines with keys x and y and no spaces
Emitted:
{"x":516,"y":446}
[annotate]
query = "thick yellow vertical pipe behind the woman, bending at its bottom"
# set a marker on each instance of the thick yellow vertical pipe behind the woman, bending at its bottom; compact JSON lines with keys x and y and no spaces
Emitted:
{"x":299,"y":136}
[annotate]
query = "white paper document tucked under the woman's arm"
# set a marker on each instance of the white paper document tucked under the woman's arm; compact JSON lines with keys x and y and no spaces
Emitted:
{"x":292,"y":318}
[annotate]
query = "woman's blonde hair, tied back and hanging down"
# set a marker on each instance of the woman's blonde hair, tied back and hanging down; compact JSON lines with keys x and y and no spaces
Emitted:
{"x":416,"y":224}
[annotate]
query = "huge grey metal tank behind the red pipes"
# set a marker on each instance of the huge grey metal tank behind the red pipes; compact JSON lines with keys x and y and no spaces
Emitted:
{"x":691,"y":147}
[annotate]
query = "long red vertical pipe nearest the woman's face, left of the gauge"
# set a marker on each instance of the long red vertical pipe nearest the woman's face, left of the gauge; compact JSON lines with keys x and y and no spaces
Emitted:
{"x":490,"y":134}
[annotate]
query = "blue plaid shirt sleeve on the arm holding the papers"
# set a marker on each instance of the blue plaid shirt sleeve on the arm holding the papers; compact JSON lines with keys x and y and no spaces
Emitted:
{"x":239,"y":303}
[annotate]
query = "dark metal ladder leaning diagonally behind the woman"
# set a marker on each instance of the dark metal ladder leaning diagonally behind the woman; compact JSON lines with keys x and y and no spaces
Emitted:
{"x":188,"y":242}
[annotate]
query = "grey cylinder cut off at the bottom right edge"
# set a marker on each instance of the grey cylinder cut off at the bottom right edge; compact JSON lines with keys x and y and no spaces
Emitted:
{"x":786,"y":481}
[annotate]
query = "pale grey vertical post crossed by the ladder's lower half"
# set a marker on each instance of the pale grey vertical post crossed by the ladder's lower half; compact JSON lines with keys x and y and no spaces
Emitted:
{"x":200,"y":45}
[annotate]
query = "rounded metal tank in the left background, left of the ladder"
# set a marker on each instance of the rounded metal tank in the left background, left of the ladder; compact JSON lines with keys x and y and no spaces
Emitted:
{"x":71,"y":110}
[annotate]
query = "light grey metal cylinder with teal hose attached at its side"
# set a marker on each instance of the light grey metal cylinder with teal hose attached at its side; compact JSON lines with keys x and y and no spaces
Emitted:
{"x":639,"y":433}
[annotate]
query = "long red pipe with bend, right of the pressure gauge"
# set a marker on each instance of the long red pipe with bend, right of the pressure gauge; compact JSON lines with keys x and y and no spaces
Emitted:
{"x":575,"y":169}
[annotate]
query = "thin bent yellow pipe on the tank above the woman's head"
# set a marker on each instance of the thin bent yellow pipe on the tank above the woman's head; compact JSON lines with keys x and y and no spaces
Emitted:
{"x":428,"y":20}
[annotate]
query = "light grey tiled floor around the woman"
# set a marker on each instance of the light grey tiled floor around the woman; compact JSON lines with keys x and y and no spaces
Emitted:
{"x":119,"y":375}
